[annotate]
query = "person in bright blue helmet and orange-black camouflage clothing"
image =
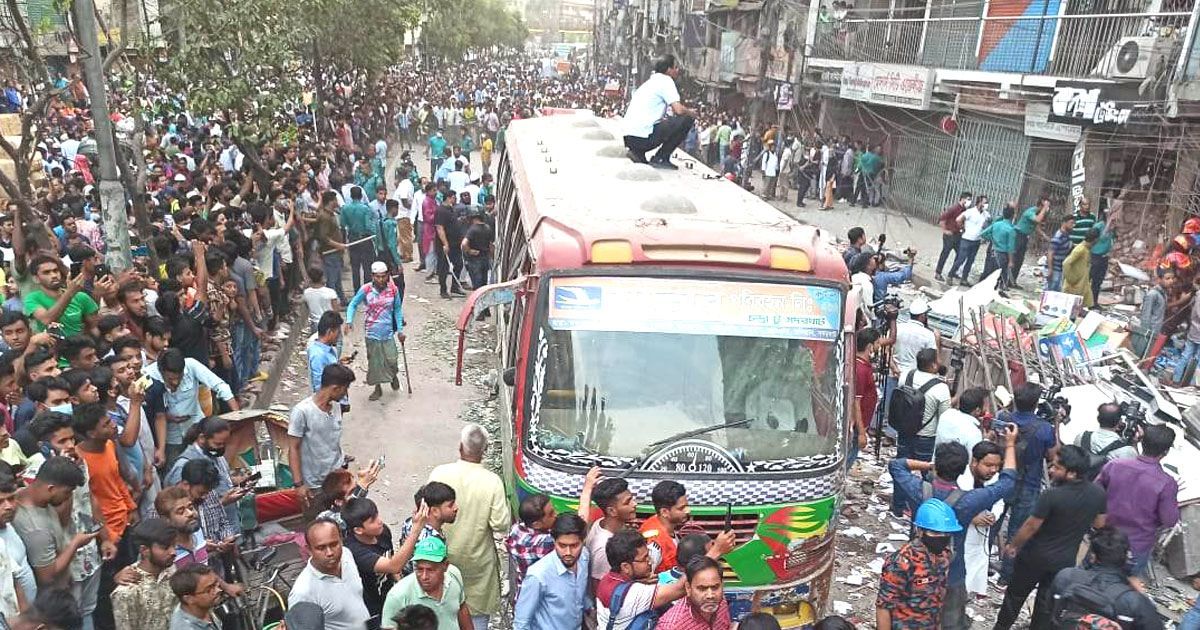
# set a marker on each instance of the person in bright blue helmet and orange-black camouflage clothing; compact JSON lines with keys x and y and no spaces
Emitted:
{"x":913,"y":586}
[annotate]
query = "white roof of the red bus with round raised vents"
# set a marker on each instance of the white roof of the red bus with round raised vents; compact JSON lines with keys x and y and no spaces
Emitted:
{"x":585,"y":202}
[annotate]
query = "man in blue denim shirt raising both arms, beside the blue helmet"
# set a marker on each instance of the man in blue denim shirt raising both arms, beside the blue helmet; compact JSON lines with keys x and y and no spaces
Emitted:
{"x":950,"y":463}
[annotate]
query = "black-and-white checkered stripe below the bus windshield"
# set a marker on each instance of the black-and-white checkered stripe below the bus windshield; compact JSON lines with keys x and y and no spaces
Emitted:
{"x":700,"y":491}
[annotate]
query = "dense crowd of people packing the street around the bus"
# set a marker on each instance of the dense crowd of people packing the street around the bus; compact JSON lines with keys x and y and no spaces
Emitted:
{"x":118,"y":505}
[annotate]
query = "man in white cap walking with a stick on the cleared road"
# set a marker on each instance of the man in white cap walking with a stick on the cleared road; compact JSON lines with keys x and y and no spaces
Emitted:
{"x":383,"y":320}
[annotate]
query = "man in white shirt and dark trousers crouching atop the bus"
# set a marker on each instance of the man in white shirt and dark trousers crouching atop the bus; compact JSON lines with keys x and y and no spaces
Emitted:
{"x":647,"y":124}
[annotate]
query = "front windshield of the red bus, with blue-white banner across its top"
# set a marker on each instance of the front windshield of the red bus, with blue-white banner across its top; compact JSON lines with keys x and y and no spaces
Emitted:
{"x":634,"y":362}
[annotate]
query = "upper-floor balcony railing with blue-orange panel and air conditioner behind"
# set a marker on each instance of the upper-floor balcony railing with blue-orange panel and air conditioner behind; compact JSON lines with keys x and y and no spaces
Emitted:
{"x":1123,"y":45}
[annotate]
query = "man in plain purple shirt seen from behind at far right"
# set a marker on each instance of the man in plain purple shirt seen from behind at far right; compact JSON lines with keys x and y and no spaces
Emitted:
{"x":1143,"y":497}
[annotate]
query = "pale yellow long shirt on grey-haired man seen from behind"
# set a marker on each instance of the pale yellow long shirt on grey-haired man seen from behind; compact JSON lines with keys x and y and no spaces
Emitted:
{"x":483,"y":513}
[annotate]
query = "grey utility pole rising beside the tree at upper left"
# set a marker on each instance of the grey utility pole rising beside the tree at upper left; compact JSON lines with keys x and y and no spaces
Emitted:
{"x":112,"y":193}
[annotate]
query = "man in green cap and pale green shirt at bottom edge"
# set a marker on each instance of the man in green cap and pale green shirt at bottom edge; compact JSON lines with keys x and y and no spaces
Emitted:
{"x":436,"y":585}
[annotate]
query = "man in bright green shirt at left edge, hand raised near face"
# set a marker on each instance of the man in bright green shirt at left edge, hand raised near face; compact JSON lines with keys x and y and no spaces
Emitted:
{"x":61,"y":302}
